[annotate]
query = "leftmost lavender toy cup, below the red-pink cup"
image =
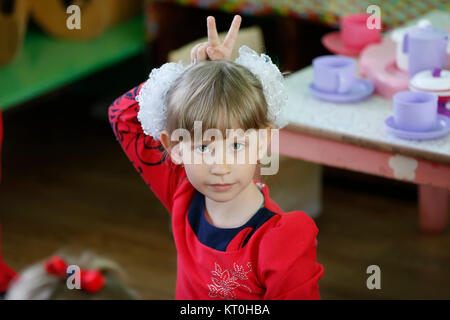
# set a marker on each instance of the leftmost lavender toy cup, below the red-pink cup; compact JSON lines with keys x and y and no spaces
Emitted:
{"x":333,"y":74}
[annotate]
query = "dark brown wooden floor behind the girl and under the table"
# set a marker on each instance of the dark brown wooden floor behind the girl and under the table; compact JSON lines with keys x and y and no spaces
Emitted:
{"x":66,"y":182}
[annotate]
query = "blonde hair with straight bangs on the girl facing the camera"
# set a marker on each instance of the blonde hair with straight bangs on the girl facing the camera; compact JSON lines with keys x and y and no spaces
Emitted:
{"x":217,"y":93}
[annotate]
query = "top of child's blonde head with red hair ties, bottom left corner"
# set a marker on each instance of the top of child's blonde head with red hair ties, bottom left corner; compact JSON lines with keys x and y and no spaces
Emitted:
{"x":47,"y":280}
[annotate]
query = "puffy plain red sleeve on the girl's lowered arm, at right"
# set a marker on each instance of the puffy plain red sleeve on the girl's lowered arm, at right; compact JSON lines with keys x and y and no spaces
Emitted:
{"x":287,"y":259}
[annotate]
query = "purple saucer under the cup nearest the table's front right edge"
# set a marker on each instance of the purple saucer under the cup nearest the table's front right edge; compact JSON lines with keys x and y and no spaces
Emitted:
{"x":441,"y":129}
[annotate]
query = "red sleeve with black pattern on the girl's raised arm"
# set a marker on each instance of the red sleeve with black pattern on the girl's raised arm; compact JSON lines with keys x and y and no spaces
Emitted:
{"x":145,"y":153}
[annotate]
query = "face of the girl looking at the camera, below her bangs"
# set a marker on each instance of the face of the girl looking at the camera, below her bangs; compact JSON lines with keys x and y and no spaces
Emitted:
{"x":219,"y":166}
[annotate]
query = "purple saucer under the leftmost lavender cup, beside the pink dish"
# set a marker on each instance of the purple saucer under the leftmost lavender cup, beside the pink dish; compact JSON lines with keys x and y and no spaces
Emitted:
{"x":360,"y":90}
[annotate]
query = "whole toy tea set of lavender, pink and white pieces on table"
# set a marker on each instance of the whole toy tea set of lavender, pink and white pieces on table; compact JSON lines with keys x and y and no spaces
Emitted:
{"x":415,"y":58}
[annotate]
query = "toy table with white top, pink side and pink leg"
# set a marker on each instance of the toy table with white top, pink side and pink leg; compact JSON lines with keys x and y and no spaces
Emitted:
{"x":352,"y":136}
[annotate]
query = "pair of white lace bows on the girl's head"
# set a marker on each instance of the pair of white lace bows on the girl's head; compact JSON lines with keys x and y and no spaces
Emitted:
{"x":152,"y":97}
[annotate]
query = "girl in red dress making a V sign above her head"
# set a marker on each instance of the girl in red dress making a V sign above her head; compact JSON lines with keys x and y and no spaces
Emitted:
{"x":233,"y":240}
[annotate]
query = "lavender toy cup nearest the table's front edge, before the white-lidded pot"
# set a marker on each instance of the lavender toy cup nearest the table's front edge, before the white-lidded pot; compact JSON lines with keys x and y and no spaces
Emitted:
{"x":415,"y":111}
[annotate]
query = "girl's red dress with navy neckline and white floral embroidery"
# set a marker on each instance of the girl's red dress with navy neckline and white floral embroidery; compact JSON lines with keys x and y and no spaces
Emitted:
{"x":273,"y":256}
